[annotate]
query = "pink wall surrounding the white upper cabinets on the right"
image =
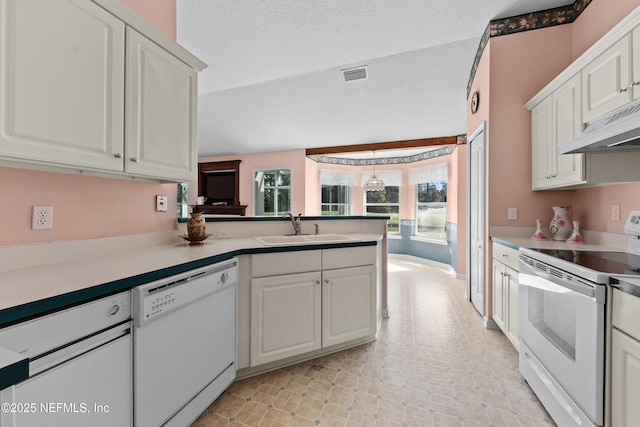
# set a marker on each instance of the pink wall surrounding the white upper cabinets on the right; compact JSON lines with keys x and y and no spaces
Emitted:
{"x":520,"y":66}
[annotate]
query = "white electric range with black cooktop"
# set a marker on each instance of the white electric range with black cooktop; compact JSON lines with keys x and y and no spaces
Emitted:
{"x":562,"y":296}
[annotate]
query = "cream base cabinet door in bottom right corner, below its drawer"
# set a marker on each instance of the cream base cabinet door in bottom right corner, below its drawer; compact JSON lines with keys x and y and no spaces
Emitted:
{"x":625,"y":380}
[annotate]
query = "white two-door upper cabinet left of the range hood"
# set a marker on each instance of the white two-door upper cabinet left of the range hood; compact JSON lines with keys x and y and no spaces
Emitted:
{"x":556,"y":121}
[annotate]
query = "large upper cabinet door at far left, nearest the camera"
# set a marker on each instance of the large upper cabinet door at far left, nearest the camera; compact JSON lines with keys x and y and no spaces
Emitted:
{"x":62,"y":84}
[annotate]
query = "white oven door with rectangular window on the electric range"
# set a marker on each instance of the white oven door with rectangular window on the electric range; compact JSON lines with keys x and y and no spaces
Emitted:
{"x":562,"y":325}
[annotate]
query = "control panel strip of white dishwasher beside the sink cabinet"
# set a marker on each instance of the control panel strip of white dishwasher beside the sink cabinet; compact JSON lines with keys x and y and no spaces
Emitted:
{"x":162,"y":296}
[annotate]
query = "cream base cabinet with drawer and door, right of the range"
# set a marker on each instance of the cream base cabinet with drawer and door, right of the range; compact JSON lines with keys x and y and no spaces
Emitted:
{"x":625,"y":360}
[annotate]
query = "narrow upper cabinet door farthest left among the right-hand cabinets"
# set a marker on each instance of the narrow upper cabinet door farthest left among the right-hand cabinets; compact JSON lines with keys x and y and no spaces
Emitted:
{"x":542,"y":144}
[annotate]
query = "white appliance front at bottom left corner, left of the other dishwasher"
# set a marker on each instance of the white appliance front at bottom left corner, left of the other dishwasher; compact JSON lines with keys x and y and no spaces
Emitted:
{"x":80,"y":367}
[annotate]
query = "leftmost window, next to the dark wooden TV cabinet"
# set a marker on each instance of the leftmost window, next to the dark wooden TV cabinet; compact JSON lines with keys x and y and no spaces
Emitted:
{"x":272,"y":192}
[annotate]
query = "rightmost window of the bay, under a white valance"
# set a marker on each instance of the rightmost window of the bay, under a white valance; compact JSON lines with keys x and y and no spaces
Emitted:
{"x":431,"y":205}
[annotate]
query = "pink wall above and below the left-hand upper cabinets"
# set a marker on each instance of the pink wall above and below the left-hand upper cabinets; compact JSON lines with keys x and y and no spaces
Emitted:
{"x":87,"y":207}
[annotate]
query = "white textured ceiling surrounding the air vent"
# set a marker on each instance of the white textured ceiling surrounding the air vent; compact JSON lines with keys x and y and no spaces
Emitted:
{"x":274,"y":80}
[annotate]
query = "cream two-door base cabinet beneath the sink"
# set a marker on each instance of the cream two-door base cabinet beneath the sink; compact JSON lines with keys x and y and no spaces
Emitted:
{"x":305,"y":301}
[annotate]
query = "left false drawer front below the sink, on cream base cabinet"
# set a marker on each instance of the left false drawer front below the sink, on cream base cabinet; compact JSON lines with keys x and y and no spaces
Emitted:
{"x":277,"y":263}
